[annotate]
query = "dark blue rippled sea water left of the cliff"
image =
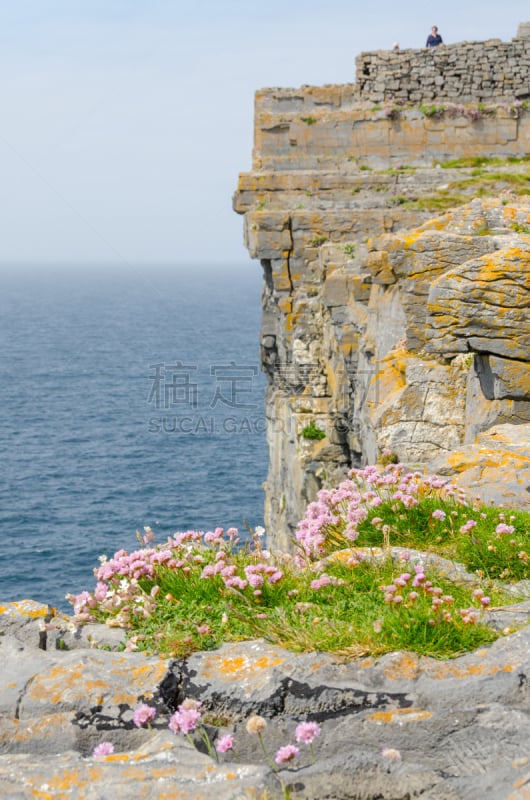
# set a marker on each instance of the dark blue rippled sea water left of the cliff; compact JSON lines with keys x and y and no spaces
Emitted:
{"x":128,"y":397}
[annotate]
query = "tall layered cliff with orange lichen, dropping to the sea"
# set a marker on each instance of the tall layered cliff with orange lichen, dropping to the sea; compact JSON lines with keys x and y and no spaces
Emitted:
{"x":393,"y":329}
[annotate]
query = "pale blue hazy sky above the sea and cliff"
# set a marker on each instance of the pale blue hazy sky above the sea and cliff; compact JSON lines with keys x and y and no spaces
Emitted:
{"x":124,"y":123}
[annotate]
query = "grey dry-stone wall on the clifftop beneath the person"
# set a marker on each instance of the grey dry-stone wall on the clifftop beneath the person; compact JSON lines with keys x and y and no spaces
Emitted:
{"x":491,"y":71}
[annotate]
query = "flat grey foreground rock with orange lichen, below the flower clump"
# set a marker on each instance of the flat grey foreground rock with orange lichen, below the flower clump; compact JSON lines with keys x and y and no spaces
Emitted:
{"x":454,"y":729}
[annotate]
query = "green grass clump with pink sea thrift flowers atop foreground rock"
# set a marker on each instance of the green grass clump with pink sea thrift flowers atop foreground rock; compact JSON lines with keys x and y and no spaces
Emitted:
{"x":343,"y":591}
